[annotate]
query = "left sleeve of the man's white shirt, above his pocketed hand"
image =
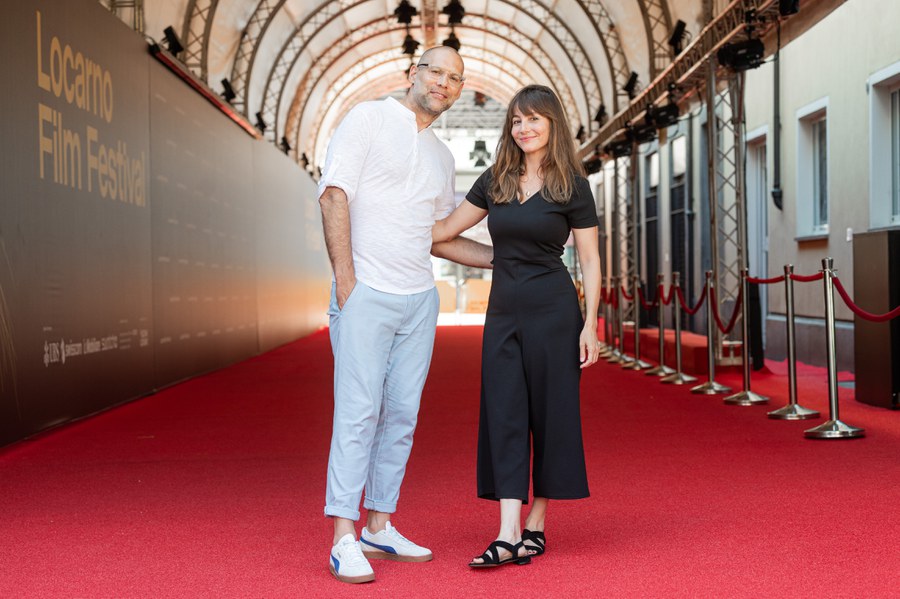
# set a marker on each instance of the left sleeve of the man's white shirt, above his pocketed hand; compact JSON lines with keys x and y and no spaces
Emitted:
{"x":347,"y":152}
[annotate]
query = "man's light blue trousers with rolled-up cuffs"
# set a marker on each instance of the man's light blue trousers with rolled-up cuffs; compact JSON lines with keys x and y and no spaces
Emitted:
{"x":382,"y":346}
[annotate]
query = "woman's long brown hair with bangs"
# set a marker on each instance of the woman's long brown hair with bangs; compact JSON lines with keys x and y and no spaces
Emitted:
{"x":559,"y":166}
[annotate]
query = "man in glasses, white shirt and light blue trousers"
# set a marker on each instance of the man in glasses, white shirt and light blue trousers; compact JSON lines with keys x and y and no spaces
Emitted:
{"x":387,"y":178}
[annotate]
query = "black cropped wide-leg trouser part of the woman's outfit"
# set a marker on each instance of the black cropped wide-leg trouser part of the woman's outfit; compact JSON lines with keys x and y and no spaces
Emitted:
{"x":530,"y":386}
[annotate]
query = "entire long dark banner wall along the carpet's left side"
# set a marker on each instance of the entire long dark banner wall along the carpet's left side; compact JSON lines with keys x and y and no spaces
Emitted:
{"x":133,"y":256}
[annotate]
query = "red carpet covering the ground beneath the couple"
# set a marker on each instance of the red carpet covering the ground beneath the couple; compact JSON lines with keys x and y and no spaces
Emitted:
{"x":214,"y":488}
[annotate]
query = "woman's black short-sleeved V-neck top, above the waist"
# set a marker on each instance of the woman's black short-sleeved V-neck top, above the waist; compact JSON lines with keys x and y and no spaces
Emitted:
{"x":536,"y":230}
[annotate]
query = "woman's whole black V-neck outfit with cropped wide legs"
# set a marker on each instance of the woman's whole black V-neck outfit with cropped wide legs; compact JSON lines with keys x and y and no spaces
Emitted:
{"x":530,"y":371}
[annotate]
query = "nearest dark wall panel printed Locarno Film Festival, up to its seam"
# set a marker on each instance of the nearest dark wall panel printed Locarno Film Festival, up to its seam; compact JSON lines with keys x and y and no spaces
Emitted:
{"x":75,"y":219}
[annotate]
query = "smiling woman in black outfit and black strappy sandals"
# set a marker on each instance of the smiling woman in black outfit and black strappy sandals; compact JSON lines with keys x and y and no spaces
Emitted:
{"x":535,"y":340}
